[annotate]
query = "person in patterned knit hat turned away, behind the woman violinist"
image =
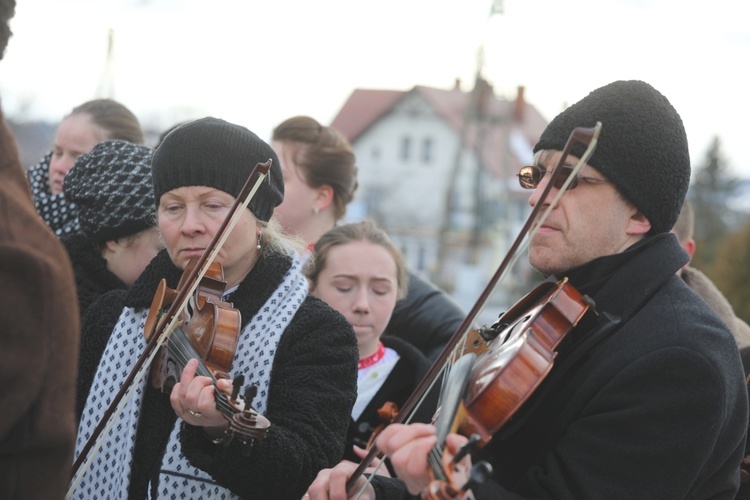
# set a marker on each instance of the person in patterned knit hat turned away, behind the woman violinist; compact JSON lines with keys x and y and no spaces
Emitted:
{"x":114,"y":196}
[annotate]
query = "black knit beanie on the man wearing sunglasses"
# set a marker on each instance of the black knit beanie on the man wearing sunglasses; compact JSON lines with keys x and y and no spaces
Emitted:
{"x":642,"y":147}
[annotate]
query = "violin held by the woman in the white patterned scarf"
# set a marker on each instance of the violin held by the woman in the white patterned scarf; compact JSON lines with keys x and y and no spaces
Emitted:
{"x":210,"y":334}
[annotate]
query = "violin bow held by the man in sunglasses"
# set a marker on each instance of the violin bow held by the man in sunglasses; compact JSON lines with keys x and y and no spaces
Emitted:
{"x":583,"y":135}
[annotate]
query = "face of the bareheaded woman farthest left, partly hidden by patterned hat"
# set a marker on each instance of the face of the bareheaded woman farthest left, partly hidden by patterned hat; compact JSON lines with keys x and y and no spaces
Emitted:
{"x":76,"y":135}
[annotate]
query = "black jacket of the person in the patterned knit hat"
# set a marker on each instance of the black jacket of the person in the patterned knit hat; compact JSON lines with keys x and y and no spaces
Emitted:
{"x":93,"y":278}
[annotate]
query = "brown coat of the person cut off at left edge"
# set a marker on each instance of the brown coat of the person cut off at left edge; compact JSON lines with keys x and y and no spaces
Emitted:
{"x":38,"y":343}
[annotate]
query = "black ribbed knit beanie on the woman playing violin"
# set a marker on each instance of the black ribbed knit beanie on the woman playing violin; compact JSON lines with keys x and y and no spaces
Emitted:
{"x":215,"y":153}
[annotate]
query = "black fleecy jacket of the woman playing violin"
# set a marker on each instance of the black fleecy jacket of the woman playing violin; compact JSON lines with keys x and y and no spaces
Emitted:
{"x":311,"y":393}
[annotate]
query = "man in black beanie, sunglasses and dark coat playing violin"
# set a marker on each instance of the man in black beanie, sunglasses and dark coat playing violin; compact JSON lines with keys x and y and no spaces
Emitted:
{"x":646,"y":397}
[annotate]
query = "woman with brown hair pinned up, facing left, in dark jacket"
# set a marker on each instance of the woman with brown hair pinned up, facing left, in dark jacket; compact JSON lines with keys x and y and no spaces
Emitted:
{"x":320,"y":178}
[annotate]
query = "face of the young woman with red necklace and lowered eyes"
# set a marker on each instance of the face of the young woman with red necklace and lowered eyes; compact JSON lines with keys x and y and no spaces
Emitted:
{"x":360,"y":281}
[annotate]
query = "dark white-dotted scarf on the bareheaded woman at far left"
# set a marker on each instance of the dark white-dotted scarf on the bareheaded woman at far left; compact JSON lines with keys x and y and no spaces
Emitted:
{"x":60,"y":214}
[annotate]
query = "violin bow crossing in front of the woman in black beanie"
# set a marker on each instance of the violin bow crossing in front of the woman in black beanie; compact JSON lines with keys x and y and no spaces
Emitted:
{"x":95,"y":441}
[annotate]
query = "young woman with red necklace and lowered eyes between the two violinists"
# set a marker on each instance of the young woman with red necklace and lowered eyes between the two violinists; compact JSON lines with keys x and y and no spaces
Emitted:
{"x":358,"y":271}
